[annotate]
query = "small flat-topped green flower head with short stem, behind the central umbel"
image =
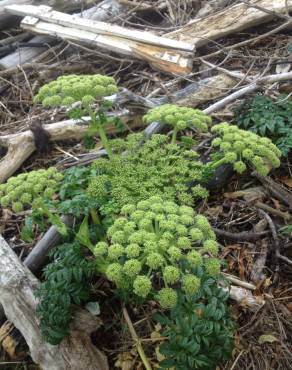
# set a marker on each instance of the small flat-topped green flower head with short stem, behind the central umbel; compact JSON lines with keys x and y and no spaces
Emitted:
{"x":179,"y":118}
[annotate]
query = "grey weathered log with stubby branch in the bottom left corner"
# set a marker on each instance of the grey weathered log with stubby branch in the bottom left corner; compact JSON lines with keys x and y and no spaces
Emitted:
{"x":17,"y":285}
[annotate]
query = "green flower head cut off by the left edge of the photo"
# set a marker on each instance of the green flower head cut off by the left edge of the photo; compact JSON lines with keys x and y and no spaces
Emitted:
{"x":22,"y":191}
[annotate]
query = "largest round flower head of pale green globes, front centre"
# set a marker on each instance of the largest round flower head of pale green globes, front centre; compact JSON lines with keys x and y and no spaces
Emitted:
{"x":158,"y":240}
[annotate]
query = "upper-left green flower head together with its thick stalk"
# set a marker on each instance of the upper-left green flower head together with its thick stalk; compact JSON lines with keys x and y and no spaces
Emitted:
{"x":86,"y":90}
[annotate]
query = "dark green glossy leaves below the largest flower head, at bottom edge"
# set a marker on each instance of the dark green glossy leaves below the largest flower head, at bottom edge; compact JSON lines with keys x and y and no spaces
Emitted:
{"x":199,"y":330}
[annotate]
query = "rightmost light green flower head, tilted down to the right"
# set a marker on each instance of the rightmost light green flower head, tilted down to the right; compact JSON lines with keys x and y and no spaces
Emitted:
{"x":239,"y":147}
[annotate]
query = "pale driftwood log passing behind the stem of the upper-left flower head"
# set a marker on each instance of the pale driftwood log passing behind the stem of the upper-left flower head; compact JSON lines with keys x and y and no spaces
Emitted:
{"x":20,"y":146}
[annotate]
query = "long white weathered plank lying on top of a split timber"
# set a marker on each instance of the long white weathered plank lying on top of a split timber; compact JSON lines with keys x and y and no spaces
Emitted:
{"x":47,"y":14}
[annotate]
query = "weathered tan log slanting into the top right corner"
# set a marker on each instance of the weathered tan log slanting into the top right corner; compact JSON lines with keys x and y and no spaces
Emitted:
{"x":228,"y":21}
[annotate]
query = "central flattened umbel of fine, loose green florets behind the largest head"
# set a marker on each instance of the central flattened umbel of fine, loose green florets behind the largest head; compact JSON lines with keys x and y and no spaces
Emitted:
{"x":155,"y":168}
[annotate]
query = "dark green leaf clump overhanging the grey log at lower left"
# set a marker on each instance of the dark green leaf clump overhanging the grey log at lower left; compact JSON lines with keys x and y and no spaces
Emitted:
{"x":66,"y":283}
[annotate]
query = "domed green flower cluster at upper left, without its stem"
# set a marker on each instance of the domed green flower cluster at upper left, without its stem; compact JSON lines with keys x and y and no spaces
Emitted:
{"x":66,"y":90}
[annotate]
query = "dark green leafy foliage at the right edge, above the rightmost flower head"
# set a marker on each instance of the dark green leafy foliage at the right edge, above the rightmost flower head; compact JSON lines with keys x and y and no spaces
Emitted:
{"x":269,"y":118}
